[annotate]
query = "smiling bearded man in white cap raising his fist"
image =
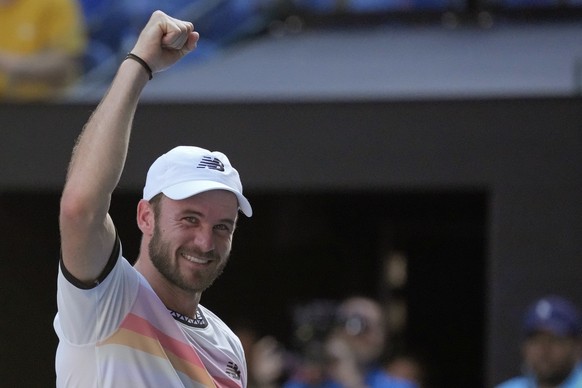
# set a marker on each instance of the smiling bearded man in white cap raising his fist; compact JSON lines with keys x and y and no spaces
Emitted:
{"x":143,"y":326}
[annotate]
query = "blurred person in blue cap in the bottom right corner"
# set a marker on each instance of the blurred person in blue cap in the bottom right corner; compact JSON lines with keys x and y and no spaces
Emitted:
{"x":552,"y":348}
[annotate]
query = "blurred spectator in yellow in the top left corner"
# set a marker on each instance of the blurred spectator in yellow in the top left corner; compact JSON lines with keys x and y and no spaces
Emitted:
{"x":41,"y":43}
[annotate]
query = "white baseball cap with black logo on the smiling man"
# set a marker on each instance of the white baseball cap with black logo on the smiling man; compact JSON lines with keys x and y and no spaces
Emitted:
{"x":185,"y":171}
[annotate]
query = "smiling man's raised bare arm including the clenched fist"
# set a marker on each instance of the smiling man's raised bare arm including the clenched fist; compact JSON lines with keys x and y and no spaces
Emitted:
{"x":87,"y":231}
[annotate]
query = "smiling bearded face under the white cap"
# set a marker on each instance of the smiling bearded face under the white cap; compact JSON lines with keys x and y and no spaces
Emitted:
{"x":192,"y":238}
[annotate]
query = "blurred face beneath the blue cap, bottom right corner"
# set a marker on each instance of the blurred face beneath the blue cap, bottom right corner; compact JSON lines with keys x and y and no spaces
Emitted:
{"x":550,"y":357}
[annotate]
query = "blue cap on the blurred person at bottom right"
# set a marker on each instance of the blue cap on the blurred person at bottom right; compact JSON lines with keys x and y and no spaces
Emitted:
{"x":554,"y":314}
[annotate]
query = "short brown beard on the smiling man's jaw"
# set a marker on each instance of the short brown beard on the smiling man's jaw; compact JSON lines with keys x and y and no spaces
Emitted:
{"x":161,"y":254}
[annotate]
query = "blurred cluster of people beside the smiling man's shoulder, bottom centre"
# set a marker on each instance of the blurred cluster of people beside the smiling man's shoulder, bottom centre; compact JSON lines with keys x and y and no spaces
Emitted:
{"x":334,"y":344}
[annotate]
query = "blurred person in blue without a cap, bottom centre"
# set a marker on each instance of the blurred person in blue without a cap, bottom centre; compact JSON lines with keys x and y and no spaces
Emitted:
{"x":352,"y":350}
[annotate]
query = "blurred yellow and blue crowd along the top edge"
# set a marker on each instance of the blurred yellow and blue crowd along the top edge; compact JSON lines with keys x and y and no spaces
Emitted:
{"x":46,"y":46}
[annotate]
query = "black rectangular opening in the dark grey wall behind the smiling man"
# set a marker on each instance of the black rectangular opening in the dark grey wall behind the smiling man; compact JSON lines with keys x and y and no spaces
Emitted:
{"x":297,"y":248}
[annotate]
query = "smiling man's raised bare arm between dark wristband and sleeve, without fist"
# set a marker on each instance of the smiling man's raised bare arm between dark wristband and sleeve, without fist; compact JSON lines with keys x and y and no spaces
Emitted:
{"x":87,"y":231}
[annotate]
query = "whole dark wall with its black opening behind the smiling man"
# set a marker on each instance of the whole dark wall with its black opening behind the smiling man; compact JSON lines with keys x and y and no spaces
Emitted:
{"x":482,"y":195}
